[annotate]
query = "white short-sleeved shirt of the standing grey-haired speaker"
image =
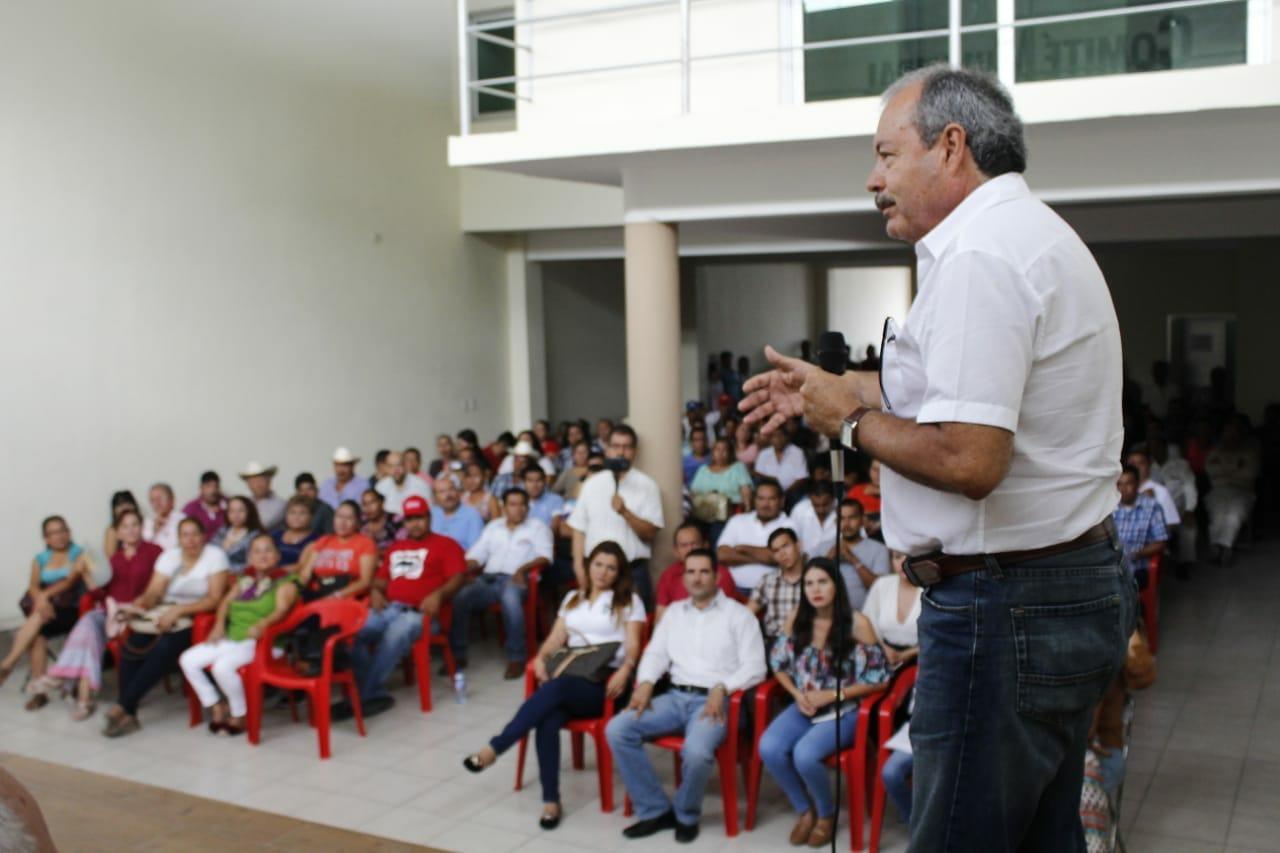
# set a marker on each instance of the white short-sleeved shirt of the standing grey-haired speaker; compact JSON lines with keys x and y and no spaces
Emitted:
{"x":1013,"y":327}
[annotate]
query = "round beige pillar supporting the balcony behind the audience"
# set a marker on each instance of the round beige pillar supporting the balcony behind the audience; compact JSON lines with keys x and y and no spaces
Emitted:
{"x":653,"y":366}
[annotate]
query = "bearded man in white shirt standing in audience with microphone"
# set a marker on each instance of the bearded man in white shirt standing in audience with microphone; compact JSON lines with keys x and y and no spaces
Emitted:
{"x":619,"y":504}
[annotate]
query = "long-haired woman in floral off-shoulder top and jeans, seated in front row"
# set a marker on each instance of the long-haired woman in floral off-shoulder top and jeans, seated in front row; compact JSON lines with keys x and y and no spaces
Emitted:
{"x":797,"y":745}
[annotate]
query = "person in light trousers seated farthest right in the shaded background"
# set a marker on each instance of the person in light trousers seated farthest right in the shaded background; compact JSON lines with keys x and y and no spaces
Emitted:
{"x":1233,"y":468}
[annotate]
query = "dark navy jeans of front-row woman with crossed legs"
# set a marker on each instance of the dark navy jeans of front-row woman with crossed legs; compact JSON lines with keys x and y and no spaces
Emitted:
{"x":547,"y":711}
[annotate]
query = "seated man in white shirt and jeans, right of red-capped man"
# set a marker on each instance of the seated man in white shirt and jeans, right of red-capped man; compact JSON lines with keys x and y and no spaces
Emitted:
{"x":500,"y":564}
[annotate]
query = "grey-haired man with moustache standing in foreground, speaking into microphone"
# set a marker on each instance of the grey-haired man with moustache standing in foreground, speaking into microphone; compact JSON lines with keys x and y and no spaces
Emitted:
{"x":996,"y":418}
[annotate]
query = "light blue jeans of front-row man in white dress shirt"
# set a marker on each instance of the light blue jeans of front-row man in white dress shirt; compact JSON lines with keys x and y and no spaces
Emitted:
{"x":675,"y":713}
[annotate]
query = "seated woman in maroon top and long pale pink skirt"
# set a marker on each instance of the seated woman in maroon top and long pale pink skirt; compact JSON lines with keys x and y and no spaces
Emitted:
{"x":81,"y":660}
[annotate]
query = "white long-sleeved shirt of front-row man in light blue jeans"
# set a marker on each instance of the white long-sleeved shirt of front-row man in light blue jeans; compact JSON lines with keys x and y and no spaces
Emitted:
{"x":720,"y":645}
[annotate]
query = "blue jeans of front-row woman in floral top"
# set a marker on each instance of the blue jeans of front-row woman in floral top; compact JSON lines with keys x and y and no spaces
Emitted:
{"x":794,"y":750}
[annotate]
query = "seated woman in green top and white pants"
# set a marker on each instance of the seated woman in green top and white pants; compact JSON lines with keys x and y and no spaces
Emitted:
{"x":255,"y":601}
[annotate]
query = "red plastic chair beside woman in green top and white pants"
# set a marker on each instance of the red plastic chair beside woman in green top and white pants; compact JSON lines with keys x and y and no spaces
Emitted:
{"x":344,"y":614}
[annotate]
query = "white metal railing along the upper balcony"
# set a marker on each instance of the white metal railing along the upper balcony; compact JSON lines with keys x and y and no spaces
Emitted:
{"x":1005,"y":29}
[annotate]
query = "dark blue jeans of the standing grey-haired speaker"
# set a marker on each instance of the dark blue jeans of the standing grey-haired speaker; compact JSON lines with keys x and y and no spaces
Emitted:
{"x":1013,"y":662}
